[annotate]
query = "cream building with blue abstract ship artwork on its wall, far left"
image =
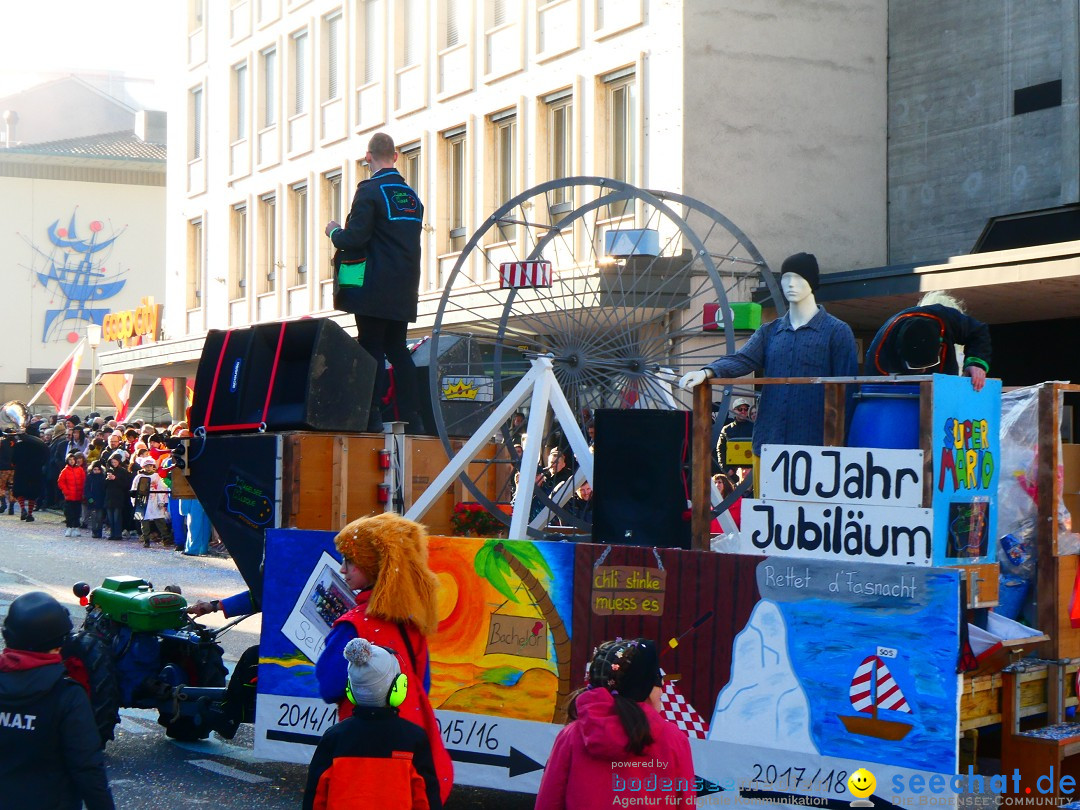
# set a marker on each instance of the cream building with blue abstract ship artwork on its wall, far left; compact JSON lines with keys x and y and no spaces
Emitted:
{"x":85,"y":218}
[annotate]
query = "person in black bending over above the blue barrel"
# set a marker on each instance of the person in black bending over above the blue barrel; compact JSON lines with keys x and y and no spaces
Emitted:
{"x":923,"y":340}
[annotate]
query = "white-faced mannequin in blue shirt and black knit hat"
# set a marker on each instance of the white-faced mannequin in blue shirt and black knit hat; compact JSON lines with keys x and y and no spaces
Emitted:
{"x":805,"y":343}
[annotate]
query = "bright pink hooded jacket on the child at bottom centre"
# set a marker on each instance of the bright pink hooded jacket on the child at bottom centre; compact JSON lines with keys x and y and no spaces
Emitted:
{"x":589,"y":767}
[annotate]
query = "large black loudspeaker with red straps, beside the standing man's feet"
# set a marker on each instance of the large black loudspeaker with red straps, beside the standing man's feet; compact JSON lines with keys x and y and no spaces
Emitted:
{"x":294,"y":375}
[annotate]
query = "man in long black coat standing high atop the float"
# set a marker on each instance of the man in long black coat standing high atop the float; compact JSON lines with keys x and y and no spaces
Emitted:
{"x":377,"y":275}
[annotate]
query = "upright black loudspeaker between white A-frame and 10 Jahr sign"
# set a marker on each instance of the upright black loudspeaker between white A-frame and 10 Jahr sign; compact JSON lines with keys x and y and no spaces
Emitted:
{"x":641,"y":478}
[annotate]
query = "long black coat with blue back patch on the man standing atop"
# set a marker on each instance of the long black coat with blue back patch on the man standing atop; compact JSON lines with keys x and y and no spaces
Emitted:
{"x":384,"y":227}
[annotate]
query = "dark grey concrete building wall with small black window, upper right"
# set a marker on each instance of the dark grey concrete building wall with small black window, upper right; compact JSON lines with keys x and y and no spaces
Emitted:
{"x":983,"y":119}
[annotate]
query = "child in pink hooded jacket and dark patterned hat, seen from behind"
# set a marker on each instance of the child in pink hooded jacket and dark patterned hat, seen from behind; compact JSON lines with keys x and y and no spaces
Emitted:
{"x":617,"y":746}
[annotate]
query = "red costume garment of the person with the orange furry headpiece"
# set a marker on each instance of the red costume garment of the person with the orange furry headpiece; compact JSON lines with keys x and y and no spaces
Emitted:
{"x":417,"y":708}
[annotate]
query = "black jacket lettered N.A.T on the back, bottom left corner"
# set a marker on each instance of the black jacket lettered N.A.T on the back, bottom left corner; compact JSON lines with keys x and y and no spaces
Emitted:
{"x":50,"y":749}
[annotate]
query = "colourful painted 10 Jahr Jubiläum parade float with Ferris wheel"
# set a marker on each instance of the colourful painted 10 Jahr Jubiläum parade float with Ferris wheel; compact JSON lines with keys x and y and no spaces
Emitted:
{"x":901,"y":607}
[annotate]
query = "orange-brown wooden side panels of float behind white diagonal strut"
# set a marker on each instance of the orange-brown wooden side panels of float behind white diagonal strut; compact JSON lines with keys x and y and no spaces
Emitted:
{"x":331,"y":480}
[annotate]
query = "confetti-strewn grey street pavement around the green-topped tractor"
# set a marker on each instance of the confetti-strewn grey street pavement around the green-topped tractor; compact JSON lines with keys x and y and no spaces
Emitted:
{"x":146,"y":768}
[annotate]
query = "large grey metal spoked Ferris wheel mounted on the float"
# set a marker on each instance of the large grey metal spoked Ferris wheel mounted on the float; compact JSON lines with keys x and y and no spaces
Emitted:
{"x":611,"y":328}
